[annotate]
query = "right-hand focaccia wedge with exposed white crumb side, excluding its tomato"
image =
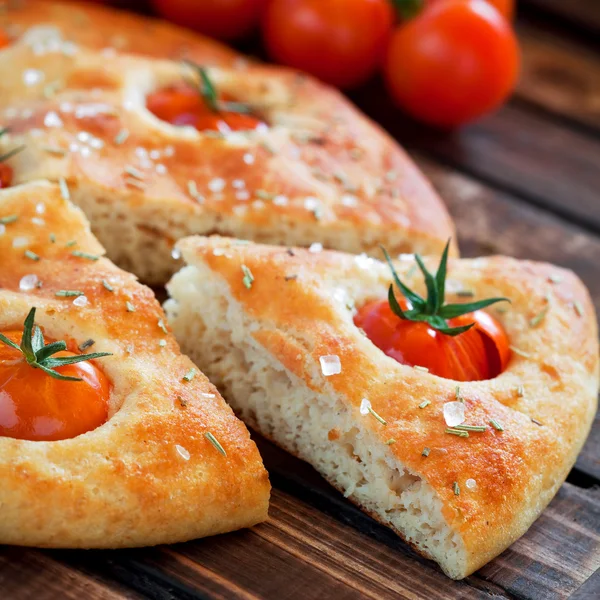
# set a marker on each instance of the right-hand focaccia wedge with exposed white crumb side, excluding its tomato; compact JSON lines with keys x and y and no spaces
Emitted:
{"x":274,"y":330}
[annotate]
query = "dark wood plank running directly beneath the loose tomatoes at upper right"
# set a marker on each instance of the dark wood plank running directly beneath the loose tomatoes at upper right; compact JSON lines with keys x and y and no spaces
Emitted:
{"x":543,"y":162}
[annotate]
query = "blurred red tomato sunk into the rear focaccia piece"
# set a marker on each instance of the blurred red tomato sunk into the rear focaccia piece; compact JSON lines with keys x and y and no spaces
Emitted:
{"x":183,"y":105}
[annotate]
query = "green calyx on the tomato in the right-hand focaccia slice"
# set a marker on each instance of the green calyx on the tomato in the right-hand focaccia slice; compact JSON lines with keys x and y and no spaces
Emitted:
{"x":433,"y":310}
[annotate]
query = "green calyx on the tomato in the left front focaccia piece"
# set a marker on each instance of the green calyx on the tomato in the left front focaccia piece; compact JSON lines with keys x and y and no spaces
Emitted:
{"x":40,"y":355}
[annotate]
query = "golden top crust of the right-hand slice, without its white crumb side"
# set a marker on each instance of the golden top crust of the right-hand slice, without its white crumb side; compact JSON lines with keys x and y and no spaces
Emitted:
{"x":516,"y":471}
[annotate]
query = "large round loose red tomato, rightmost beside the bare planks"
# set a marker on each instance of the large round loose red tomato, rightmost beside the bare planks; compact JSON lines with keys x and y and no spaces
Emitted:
{"x":454,"y":62}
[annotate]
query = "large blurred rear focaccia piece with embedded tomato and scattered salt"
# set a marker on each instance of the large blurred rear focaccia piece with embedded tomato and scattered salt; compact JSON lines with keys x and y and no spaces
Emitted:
{"x":153,"y":151}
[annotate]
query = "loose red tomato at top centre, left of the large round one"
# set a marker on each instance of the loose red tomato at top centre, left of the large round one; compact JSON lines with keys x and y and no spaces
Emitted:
{"x":340,"y":41}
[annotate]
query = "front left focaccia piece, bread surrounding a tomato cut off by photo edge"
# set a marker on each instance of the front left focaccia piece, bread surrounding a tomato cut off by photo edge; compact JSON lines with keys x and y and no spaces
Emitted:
{"x":150,"y":474}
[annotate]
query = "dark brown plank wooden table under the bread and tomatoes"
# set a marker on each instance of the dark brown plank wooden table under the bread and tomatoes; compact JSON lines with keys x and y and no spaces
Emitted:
{"x":523,"y":182}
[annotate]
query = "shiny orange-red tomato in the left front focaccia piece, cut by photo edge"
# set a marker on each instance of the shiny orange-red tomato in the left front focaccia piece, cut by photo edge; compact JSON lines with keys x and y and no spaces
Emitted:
{"x":35,"y":406}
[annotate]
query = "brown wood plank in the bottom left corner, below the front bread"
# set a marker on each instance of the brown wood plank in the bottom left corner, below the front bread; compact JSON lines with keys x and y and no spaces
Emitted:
{"x":26,"y":574}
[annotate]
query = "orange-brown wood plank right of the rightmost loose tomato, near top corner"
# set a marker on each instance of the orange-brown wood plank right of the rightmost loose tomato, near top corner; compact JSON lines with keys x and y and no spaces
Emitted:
{"x":560,"y":75}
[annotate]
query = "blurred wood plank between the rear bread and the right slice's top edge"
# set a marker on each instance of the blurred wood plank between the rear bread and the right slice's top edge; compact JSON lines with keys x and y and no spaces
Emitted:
{"x":492,"y":222}
